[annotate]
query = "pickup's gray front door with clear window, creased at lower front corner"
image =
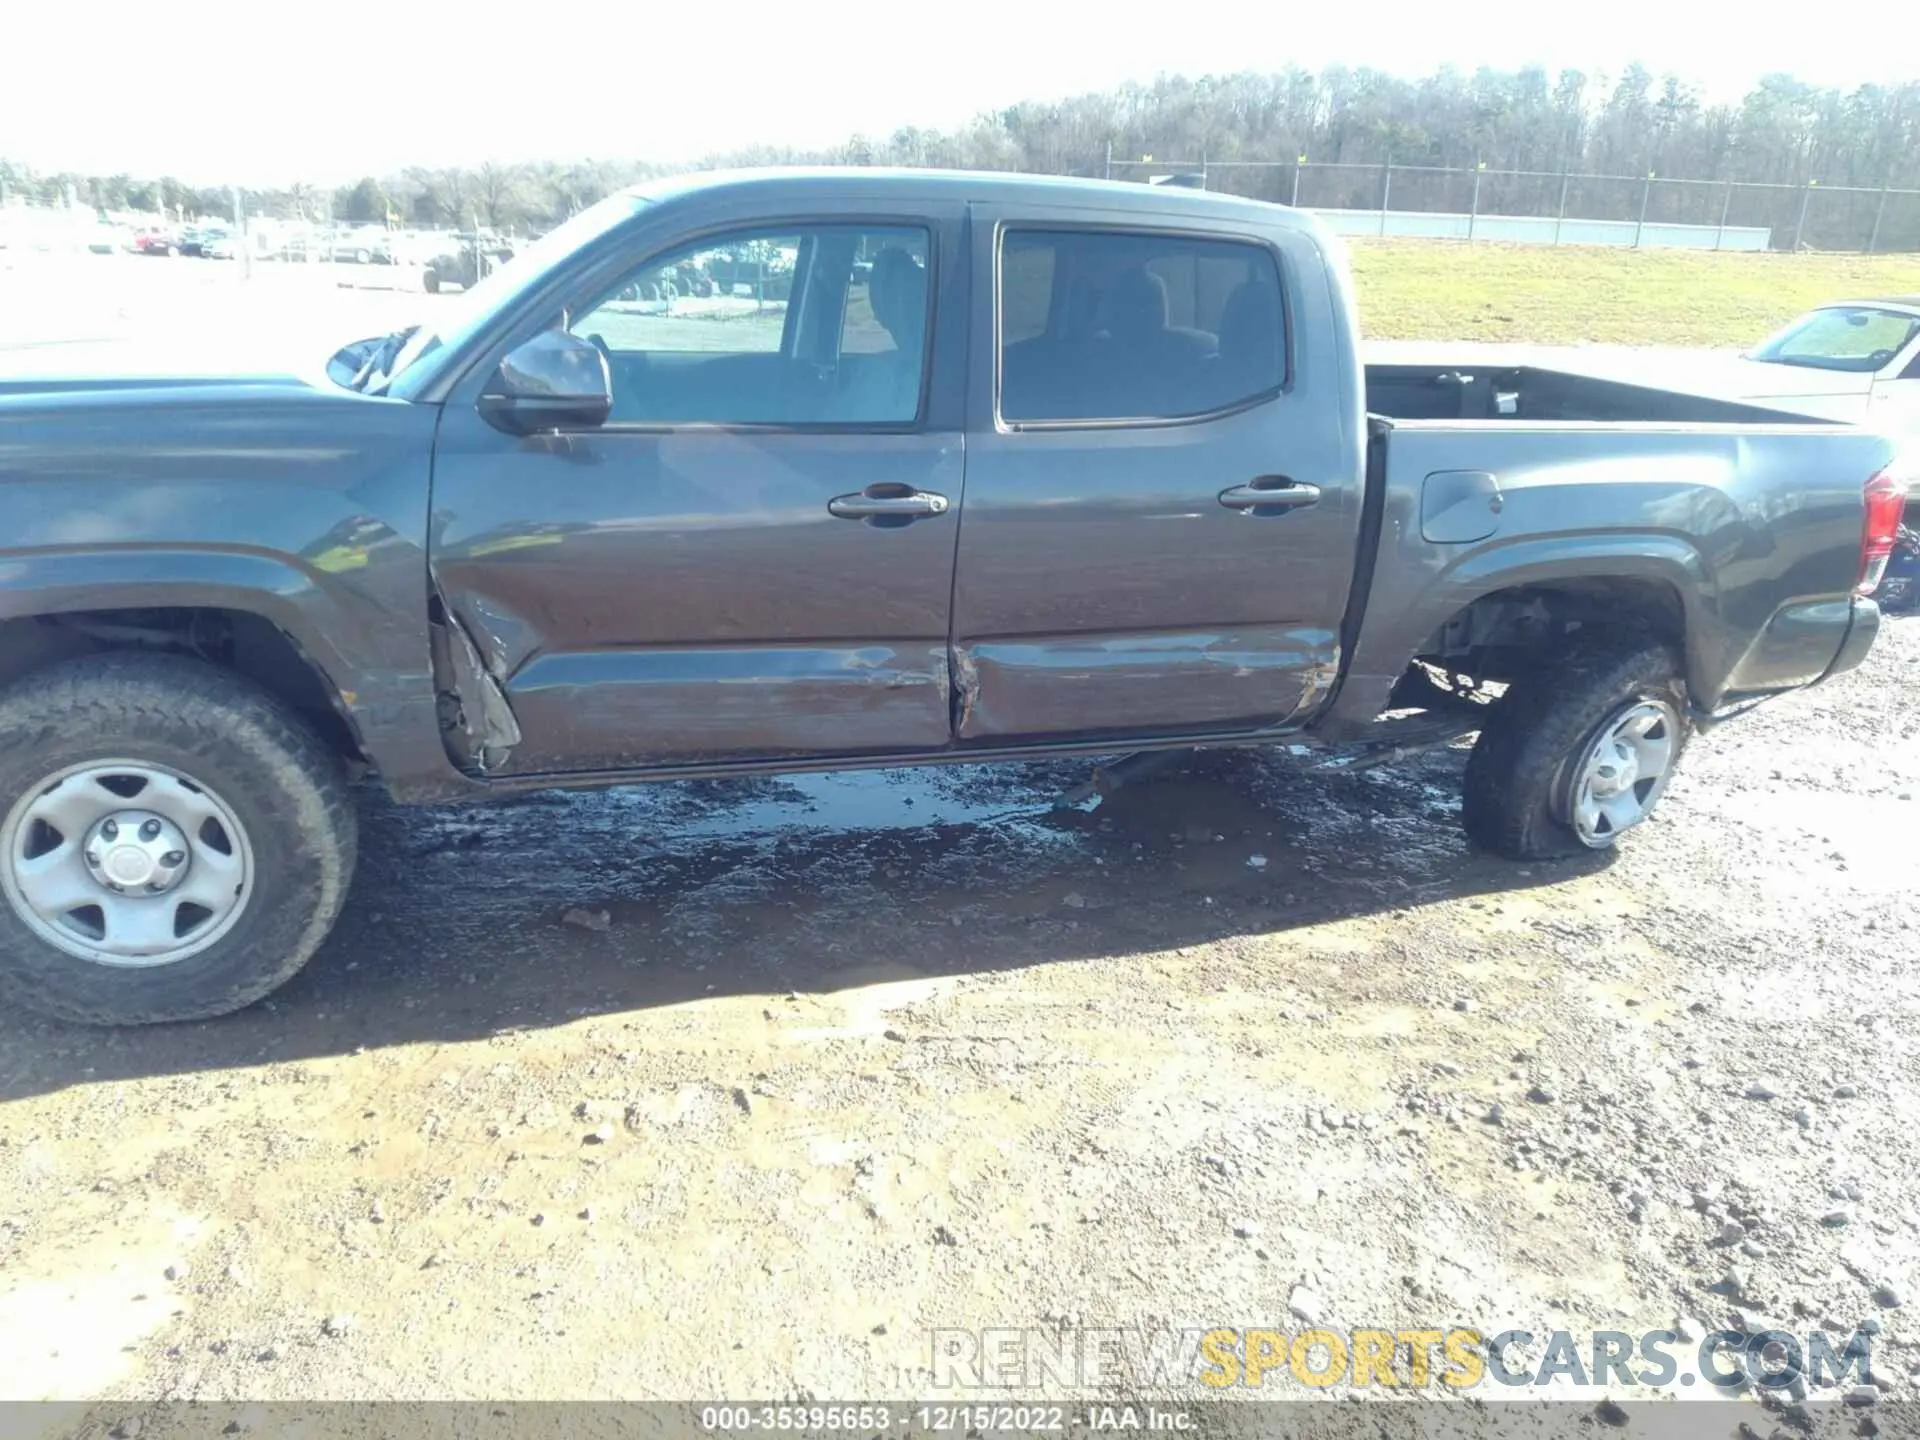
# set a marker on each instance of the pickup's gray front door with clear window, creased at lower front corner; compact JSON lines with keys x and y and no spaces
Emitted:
{"x":754,"y":558}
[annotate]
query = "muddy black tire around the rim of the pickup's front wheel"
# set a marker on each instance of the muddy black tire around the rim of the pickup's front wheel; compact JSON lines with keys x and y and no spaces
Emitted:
{"x":279,"y":780}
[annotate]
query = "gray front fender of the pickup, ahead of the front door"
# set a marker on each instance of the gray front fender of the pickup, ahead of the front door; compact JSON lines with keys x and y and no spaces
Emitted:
{"x":304,"y":510}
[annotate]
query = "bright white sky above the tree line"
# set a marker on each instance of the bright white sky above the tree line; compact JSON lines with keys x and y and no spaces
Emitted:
{"x":266,"y":95}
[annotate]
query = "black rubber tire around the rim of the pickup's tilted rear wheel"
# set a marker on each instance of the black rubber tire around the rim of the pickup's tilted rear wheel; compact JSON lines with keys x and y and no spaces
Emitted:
{"x":1520,"y":773}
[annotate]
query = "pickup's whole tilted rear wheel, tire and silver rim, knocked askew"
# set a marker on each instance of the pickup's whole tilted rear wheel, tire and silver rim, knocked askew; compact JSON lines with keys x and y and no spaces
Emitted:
{"x":1579,"y":754}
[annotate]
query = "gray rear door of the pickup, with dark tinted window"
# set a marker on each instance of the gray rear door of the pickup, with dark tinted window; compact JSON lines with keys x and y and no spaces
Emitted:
{"x":1163,"y":477}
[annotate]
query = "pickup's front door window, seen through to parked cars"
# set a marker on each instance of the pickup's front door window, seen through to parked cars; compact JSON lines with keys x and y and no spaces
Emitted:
{"x":815,"y":325}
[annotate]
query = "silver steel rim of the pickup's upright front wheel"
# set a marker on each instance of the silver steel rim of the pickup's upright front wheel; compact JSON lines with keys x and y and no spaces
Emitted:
{"x":87,"y":863}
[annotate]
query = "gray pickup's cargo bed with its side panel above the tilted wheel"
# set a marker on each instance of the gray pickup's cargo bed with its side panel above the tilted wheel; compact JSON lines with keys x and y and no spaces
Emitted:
{"x":1744,"y":521}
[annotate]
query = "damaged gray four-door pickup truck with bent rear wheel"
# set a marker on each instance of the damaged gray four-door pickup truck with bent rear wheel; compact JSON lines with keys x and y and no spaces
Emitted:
{"x":932,"y":469}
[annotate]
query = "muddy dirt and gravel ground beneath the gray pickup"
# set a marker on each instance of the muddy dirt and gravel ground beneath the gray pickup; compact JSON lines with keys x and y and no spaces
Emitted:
{"x":842,"y":1063}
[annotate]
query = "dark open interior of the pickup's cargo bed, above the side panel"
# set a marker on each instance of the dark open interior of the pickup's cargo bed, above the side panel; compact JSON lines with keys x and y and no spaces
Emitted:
{"x":1525,"y":393}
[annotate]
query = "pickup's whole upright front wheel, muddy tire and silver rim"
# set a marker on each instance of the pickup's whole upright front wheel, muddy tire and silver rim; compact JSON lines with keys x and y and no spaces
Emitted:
{"x":174,"y":844}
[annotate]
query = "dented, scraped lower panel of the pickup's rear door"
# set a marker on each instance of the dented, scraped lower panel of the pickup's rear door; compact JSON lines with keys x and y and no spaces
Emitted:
{"x":1095,"y":684}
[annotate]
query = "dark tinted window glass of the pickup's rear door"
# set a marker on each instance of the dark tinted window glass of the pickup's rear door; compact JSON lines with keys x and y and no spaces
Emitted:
{"x":1103,"y":325}
